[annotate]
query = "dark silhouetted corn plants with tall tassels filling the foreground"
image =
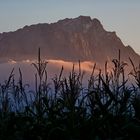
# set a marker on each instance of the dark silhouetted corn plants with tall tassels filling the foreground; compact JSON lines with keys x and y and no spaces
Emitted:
{"x":107,"y":109}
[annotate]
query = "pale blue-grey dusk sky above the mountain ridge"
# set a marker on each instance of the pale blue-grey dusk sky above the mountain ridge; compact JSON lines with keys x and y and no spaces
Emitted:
{"x":122,"y":16}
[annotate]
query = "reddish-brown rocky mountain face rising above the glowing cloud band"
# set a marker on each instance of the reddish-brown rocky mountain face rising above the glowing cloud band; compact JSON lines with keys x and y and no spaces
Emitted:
{"x":81,"y":38}
